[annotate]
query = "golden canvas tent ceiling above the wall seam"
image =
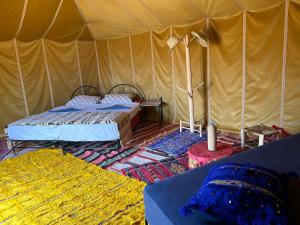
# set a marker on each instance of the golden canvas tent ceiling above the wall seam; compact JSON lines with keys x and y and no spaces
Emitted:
{"x":66,"y":20}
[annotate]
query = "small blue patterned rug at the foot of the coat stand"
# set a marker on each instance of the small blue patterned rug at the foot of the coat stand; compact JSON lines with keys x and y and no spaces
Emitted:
{"x":177,"y":142}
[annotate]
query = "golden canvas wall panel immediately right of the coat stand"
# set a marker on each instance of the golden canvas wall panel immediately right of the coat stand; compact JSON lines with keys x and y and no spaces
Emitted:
{"x":226,"y":50}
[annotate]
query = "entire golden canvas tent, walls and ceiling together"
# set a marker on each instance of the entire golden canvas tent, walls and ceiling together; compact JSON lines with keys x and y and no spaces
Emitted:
{"x":251,"y":67}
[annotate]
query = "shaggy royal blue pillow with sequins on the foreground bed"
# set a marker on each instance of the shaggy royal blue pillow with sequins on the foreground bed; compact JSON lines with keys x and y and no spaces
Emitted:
{"x":242,"y":194}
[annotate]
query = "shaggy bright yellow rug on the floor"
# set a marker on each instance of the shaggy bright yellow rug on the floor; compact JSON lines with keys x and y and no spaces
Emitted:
{"x":47,"y":187}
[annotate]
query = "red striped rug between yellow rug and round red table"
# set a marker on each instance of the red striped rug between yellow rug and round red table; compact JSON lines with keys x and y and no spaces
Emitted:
{"x":157,"y":171}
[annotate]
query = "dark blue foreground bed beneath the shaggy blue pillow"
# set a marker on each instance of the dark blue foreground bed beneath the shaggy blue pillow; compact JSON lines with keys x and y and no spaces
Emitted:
{"x":163,"y":199}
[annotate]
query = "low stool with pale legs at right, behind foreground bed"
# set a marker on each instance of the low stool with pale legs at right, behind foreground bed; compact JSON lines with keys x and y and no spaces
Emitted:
{"x":261,"y":131}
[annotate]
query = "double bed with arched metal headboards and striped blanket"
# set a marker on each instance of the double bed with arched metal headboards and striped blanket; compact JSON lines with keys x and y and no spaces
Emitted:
{"x":107,"y":121}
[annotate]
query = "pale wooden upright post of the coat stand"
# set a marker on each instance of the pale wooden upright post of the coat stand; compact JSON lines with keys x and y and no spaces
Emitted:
{"x":189,"y":82}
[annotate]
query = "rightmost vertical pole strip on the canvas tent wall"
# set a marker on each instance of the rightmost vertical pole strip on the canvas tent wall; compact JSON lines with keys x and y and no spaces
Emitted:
{"x":283,"y":72}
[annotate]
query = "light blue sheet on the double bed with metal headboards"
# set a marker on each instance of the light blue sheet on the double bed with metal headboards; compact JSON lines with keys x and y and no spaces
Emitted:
{"x":74,"y":132}
